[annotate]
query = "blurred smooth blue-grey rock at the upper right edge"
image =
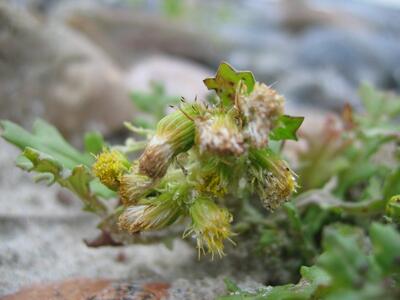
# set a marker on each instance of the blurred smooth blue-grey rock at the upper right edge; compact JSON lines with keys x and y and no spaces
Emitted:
{"x":356,"y":55}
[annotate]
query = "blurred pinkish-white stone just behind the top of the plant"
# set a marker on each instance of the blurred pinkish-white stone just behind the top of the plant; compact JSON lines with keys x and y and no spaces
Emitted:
{"x":180,"y":77}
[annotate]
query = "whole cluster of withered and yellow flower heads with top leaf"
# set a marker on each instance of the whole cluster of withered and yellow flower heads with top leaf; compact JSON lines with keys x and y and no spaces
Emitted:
{"x":200,"y":159}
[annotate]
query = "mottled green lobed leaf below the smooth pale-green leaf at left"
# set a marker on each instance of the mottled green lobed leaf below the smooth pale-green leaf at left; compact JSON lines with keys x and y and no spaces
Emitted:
{"x":77,"y":180}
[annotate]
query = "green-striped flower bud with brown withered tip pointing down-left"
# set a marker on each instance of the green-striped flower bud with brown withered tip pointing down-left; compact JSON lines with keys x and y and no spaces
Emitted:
{"x":174,"y":134}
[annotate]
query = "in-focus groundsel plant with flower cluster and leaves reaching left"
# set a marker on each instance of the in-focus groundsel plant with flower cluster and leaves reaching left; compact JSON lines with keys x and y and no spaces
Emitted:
{"x":201,"y":163}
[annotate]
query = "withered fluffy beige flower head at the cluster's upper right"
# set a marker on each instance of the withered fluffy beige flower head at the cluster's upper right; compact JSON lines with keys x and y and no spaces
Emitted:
{"x":261,"y":110}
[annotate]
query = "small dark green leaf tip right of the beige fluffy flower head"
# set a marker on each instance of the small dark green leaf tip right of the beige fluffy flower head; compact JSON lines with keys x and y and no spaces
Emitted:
{"x":286,"y":128}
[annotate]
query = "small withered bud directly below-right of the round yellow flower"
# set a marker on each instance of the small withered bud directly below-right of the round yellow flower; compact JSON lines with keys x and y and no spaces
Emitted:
{"x":134,"y":185}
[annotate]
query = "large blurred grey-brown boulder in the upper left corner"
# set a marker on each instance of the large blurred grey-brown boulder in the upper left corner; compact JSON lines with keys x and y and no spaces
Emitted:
{"x":49,"y":71}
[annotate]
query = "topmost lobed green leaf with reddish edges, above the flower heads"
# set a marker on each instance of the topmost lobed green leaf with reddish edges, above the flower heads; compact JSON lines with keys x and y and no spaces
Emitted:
{"x":226,"y":81}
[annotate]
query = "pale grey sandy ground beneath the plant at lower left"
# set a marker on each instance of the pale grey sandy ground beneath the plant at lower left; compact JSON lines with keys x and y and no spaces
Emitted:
{"x":41,"y":233}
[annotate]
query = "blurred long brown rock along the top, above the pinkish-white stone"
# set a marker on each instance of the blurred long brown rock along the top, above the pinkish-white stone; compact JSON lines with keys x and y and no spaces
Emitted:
{"x":128,"y":36}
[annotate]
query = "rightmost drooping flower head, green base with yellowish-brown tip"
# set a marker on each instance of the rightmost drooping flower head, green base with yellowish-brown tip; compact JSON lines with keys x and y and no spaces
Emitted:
{"x":275,"y":181}
